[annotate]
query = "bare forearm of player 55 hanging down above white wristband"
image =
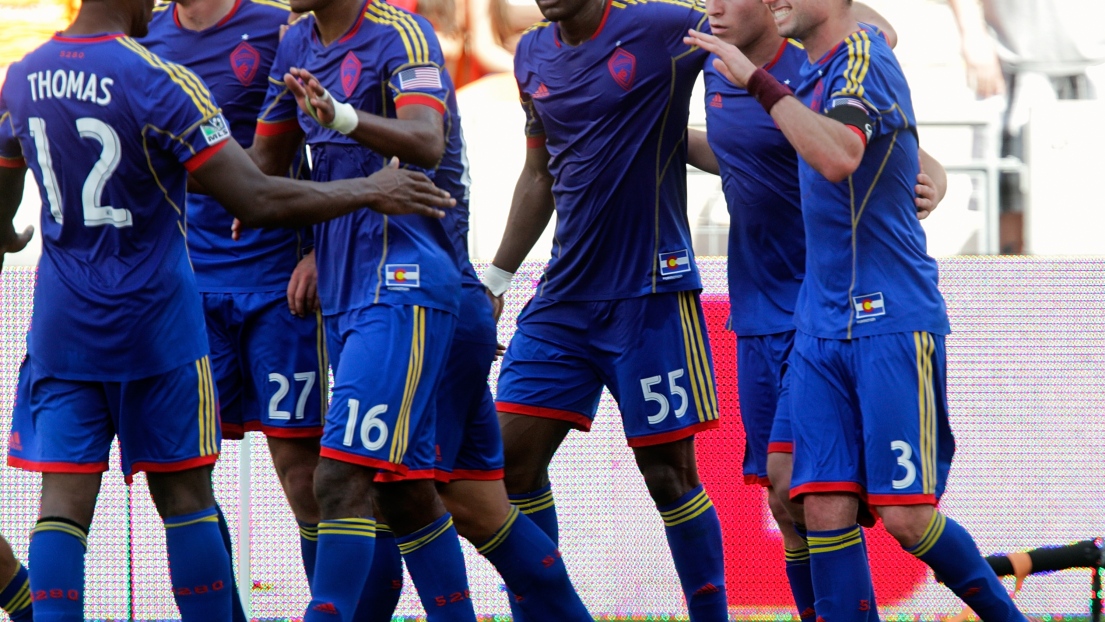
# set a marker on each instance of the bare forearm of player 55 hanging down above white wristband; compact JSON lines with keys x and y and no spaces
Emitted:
{"x":531,"y":212}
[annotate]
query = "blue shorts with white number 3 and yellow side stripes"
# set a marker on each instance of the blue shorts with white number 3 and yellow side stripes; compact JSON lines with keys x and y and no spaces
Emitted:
{"x":871,"y":418}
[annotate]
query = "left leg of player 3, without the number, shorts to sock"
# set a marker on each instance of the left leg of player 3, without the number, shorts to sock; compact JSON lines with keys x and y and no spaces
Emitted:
{"x":828,"y":478}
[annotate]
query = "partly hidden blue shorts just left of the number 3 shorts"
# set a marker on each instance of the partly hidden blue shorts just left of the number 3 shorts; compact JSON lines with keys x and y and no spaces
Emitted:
{"x":765,"y":400}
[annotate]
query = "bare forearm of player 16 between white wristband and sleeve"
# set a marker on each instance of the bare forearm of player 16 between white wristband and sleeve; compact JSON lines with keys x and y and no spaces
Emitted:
{"x":412,"y":141}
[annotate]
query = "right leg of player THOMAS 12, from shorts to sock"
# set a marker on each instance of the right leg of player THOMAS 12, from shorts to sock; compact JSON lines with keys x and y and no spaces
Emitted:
{"x":169,"y":427}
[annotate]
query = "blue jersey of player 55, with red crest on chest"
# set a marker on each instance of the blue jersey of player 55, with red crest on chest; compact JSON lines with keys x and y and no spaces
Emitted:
{"x":613,"y":113}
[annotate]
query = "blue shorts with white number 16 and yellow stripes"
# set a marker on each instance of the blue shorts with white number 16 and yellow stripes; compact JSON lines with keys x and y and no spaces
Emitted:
{"x":388,"y":362}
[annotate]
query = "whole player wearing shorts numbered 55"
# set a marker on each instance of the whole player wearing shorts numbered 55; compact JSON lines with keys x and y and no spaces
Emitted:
{"x":606,"y":87}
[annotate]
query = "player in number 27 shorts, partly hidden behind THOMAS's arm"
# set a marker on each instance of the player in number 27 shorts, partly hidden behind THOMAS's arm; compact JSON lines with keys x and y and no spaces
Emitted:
{"x":269,"y":365}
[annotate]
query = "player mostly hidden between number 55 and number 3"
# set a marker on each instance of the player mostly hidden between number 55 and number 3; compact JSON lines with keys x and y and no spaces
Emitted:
{"x":767,"y":254}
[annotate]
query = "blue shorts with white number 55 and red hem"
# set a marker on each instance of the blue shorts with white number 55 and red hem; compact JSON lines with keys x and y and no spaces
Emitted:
{"x":651,"y":352}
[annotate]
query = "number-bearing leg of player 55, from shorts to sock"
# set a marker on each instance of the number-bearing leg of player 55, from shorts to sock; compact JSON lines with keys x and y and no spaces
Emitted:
{"x":658,"y":364}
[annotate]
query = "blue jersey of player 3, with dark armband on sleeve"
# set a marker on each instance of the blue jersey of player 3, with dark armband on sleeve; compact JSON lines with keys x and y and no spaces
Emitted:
{"x":868,"y":272}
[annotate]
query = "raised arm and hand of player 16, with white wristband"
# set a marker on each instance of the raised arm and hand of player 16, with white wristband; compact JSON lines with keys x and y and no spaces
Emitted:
{"x":417,"y":136}
